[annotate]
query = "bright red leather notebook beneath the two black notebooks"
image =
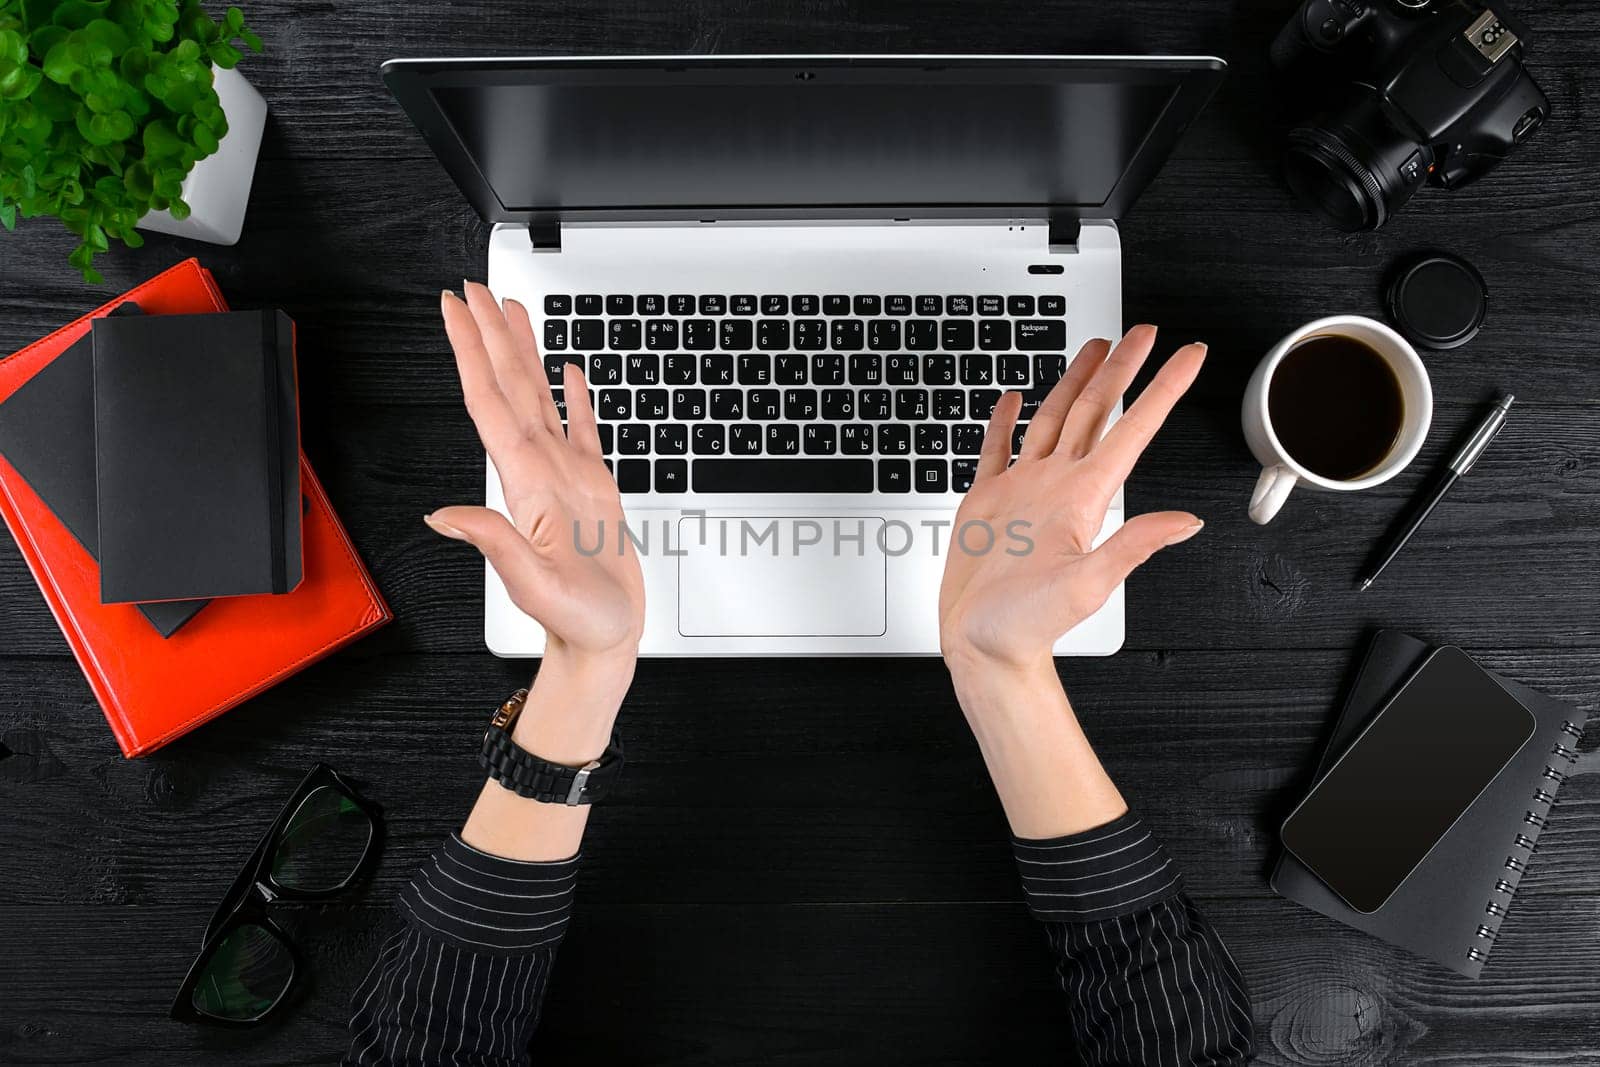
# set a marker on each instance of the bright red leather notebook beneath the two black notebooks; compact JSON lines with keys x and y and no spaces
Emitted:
{"x":156,"y":689}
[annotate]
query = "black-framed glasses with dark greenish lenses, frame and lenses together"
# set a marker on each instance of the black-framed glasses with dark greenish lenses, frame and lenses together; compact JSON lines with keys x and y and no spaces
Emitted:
{"x":322,"y":842}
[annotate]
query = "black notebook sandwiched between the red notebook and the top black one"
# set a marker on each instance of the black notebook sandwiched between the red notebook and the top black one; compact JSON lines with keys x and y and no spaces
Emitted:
{"x":47,"y":433}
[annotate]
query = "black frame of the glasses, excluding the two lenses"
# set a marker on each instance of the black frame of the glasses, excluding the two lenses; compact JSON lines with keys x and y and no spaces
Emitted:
{"x":246,"y":903}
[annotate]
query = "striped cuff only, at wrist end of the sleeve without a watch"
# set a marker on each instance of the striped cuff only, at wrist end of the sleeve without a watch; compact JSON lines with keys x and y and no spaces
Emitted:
{"x":1111,"y":871}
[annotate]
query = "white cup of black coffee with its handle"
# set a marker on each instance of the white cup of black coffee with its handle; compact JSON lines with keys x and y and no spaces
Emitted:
{"x":1340,"y":406}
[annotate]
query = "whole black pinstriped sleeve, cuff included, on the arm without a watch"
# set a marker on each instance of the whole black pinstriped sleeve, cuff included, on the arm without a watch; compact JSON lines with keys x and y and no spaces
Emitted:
{"x":1146,"y":977}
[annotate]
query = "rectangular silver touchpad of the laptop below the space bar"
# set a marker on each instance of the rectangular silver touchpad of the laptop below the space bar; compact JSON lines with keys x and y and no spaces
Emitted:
{"x":758,"y":577}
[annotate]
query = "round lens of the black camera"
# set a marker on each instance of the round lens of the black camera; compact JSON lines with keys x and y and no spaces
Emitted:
{"x":1353,"y":167}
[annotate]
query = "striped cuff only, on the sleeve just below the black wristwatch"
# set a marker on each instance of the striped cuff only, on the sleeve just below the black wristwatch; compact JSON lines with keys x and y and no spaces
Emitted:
{"x":489,"y":903}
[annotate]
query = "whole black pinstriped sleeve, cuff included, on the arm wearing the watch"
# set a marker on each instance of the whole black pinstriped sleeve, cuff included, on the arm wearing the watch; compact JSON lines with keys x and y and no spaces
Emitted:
{"x":465,"y":978}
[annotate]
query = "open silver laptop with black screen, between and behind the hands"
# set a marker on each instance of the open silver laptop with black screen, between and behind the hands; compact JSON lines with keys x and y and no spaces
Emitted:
{"x":799,"y":286}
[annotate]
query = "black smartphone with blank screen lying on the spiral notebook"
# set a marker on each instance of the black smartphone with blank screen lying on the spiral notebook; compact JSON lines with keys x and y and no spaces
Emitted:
{"x":1407,"y":778}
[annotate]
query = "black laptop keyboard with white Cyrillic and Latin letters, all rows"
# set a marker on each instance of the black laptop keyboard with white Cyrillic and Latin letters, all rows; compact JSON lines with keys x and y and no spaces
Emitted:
{"x":802,"y":393}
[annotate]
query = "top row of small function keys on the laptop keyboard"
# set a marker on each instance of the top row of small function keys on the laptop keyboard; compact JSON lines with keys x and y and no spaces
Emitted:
{"x":778,"y":305}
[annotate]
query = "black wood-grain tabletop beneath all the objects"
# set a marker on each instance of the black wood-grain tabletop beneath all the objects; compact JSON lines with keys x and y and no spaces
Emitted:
{"x":809,"y":865}
